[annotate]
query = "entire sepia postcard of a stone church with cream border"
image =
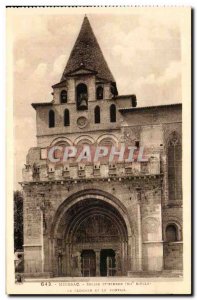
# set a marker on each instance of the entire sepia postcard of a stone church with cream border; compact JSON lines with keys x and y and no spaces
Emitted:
{"x":99,"y":115}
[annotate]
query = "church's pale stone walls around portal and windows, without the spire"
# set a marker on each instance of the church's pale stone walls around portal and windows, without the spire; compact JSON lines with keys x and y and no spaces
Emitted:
{"x":141,"y":190}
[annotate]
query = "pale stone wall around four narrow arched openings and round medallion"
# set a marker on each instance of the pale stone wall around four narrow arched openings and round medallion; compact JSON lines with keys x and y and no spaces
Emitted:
{"x":59,"y":129}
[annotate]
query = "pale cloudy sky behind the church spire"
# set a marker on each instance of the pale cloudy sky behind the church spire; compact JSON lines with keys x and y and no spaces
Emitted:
{"x":143,"y":53}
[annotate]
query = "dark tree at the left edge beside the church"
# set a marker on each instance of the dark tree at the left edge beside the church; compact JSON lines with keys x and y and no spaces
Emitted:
{"x":18,"y":221}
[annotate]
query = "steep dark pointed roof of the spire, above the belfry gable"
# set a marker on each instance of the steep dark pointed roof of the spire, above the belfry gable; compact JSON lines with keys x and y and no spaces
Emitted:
{"x":87,"y":52}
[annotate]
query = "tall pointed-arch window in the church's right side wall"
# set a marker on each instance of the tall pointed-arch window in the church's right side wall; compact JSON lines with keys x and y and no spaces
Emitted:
{"x":174,"y":168}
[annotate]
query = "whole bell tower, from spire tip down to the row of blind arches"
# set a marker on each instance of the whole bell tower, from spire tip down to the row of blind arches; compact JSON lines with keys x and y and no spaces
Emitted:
{"x":86,"y":97}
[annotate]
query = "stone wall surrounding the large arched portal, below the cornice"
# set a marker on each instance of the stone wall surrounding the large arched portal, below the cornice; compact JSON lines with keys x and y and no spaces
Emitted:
{"x":47,"y":198}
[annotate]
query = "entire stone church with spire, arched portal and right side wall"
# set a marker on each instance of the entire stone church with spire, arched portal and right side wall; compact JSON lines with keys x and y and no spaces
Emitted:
{"x":106,"y":218}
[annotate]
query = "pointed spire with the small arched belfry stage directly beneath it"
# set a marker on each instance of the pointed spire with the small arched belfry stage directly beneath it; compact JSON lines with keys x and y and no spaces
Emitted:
{"x":86,"y":76}
